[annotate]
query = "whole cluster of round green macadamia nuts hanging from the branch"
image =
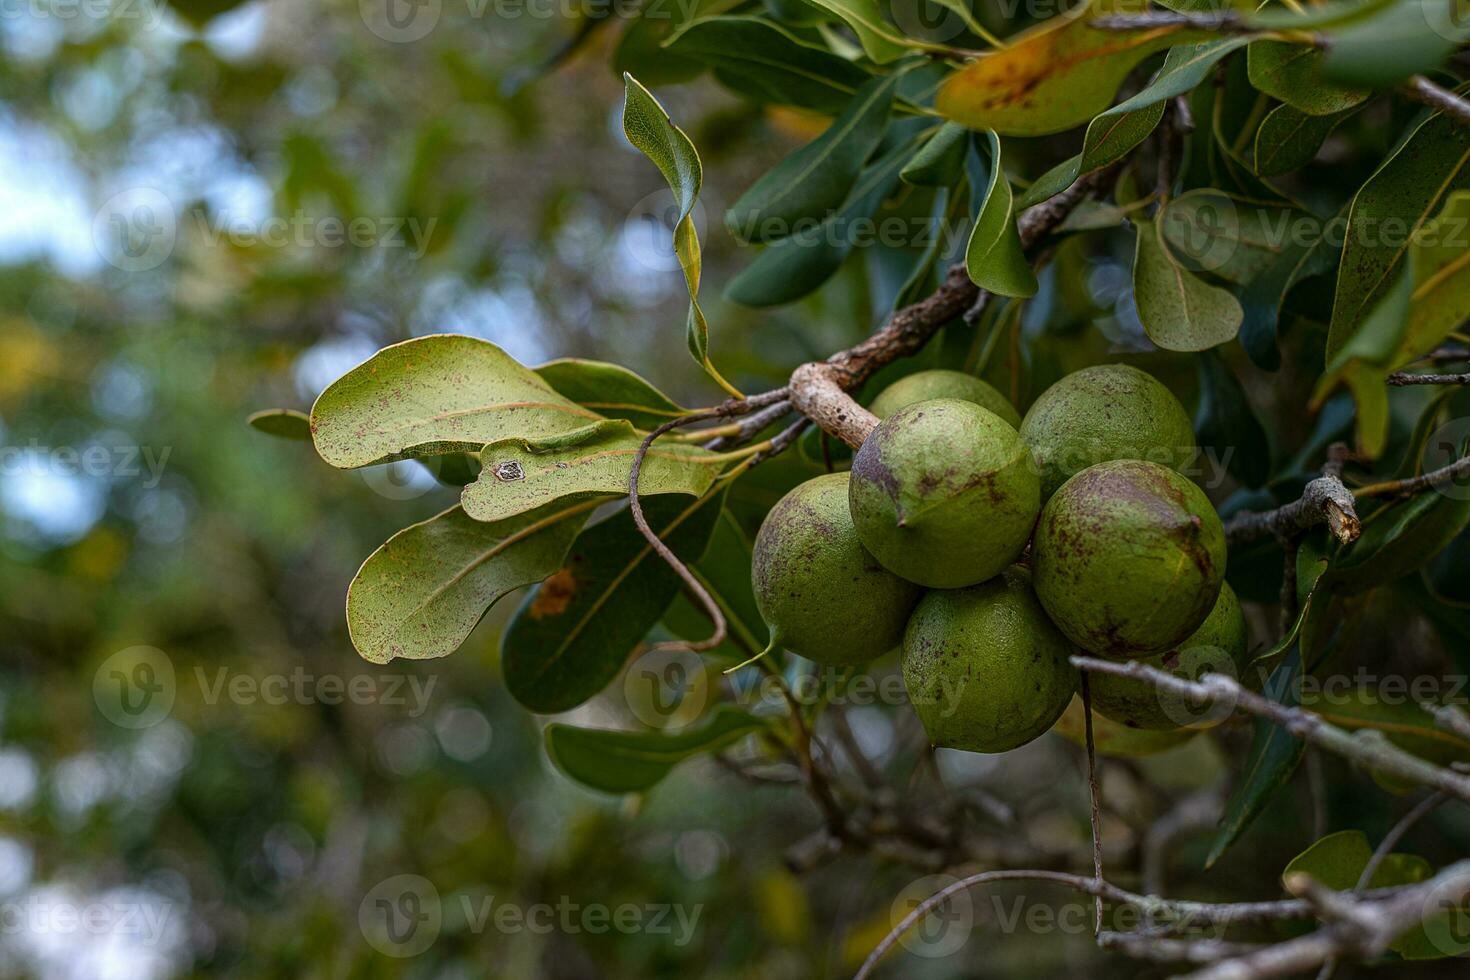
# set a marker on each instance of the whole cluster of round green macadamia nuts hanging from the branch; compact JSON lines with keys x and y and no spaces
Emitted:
{"x":992,"y":549}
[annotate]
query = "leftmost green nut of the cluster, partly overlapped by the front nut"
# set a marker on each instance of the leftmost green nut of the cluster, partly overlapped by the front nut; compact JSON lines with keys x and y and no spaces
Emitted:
{"x":818,"y":588}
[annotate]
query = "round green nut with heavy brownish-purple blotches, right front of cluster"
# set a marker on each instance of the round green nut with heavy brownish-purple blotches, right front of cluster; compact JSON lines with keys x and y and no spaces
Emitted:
{"x":1128,"y":559}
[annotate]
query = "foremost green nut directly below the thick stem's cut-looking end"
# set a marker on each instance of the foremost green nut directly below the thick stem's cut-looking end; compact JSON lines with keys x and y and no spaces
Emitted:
{"x":944,"y":493}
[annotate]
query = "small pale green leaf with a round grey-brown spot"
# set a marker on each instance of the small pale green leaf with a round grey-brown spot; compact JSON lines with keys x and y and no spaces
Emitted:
{"x":518,"y":477}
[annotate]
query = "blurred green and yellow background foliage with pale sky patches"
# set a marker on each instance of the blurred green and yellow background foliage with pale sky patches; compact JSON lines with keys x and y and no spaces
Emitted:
{"x":503,"y":208}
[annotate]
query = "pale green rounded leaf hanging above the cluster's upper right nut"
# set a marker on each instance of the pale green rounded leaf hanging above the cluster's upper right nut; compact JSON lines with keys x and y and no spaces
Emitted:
{"x":1180,"y":312}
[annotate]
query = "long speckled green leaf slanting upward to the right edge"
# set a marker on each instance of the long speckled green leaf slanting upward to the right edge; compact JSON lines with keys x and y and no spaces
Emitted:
{"x":1388,"y":214}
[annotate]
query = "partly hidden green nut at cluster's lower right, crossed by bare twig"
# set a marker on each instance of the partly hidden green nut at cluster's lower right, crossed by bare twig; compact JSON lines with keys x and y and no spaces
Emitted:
{"x":1218,"y":647}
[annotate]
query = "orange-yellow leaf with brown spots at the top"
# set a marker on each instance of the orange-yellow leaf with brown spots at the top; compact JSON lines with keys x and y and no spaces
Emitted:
{"x":1053,"y":77}
